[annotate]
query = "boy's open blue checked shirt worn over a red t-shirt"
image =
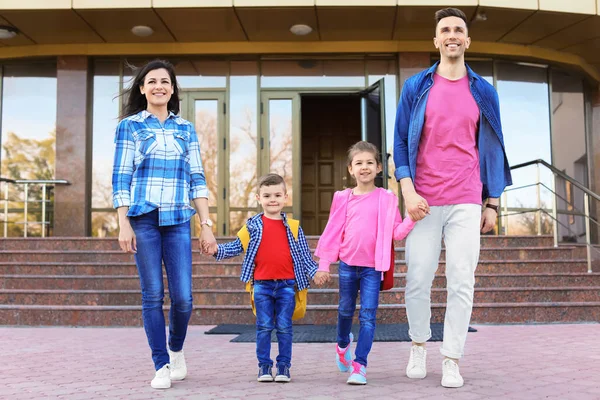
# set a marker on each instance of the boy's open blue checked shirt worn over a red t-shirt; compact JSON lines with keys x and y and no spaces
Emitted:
{"x":304,"y":266}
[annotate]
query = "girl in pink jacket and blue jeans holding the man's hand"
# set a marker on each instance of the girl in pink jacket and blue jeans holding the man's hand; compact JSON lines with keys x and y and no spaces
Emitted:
{"x":363,"y":221}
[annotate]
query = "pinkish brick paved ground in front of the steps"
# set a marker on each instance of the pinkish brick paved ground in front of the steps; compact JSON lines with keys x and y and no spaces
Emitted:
{"x":502,"y":362}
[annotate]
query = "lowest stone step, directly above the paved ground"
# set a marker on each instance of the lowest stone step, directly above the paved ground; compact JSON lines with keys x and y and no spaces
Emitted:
{"x":37,"y":315}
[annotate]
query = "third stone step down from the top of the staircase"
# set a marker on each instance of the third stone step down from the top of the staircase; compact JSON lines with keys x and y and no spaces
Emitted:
{"x":234,"y":268}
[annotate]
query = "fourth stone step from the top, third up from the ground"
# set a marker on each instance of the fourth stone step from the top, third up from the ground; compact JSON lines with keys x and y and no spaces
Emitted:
{"x":131,"y":282}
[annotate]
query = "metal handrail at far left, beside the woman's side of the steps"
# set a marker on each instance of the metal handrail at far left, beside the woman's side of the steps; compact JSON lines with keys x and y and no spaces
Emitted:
{"x":26,"y":182}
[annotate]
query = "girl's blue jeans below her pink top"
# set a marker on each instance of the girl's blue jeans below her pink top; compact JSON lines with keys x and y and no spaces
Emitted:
{"x":367,"y":280}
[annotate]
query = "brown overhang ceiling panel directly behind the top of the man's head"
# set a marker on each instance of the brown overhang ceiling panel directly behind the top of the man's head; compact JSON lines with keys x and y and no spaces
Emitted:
{"x":417,"y":23}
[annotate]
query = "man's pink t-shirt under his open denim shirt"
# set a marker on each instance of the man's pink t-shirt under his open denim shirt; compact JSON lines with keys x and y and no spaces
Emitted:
{"x":448,"y":160}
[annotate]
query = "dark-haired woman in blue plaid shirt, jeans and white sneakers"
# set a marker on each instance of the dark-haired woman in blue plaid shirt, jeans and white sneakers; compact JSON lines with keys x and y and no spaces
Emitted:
{"x":157,"y":171}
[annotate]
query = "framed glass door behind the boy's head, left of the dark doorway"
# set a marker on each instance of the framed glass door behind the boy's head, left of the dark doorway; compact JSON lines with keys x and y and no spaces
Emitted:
{"x":279,"y":142}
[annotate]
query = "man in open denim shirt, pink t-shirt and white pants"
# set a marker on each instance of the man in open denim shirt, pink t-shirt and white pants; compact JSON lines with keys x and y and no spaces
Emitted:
{"x":449,"y":156}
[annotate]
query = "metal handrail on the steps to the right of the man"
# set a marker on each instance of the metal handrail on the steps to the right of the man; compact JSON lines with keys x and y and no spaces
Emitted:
{"x":587,"y":195}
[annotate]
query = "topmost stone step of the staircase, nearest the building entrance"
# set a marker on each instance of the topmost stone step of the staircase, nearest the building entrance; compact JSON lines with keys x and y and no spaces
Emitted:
{"x":79,"y":243}
